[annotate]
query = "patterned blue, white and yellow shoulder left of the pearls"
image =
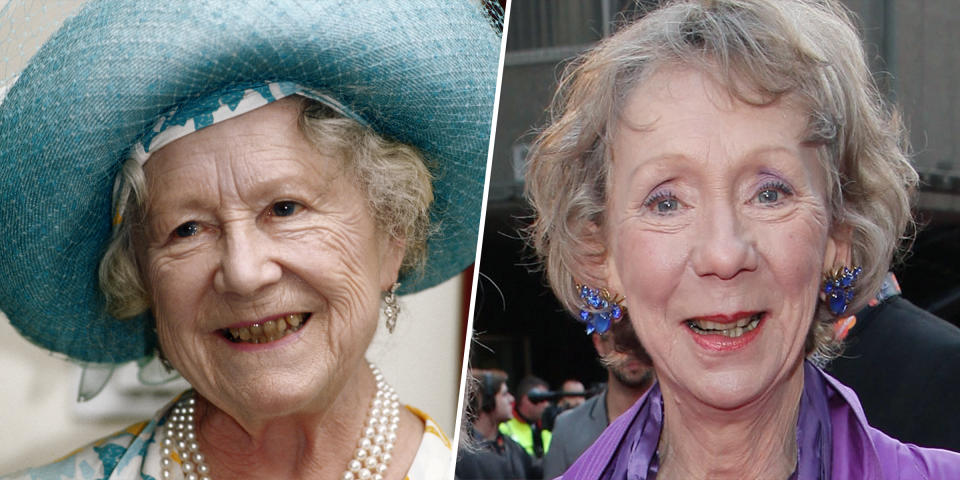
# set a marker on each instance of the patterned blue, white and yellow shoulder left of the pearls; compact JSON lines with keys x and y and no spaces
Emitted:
{"x":100,"y":459}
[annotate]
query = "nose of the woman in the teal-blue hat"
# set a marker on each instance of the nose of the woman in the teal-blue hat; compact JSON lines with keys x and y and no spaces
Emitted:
{"x":248,"y":262}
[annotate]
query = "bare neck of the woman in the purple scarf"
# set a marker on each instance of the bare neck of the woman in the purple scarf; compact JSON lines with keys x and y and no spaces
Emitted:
{"x":754,"y":441}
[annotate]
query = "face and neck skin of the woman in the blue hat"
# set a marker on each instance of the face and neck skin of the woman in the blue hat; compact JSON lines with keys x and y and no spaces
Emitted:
{"x":246,"y":220}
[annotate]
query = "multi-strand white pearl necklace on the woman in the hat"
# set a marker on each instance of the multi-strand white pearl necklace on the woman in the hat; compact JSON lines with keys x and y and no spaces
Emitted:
{"x":370,"y":460}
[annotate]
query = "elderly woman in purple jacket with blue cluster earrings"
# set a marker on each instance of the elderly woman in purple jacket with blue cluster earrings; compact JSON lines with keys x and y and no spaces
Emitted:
{"x":724,"y":175}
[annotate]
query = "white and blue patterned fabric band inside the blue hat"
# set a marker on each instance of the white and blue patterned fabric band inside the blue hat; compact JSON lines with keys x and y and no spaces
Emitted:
{"x":223,"y":105}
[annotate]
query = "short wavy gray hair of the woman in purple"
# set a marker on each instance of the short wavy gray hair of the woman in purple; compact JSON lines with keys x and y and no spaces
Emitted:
{"x":761,"y":50}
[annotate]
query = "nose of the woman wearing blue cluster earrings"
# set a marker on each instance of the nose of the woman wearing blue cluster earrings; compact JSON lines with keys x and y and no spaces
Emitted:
{"x":725,"y":247}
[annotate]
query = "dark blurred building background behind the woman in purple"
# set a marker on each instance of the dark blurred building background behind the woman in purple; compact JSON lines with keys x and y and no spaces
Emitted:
{"x":913,"y":48}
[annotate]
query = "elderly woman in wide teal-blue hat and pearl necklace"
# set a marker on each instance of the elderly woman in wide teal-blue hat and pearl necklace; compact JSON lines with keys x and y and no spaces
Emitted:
{"x":239,"y":188}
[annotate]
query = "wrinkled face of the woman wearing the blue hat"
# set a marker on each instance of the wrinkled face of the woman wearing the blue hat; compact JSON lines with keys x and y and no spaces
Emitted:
{"x":264,"y":266}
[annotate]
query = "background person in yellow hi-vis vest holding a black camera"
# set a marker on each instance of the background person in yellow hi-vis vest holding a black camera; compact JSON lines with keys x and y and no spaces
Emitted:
{"x":525,"y":427}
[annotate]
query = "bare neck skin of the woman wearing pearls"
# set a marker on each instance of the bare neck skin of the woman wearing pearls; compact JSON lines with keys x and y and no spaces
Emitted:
{"x":315,"y":442}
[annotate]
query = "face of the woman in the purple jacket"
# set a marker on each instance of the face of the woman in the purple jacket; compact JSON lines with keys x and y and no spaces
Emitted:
{"x":717,"y":234}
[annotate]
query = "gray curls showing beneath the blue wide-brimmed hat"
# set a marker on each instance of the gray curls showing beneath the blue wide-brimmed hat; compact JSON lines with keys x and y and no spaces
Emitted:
{"x":394,"y":177}
